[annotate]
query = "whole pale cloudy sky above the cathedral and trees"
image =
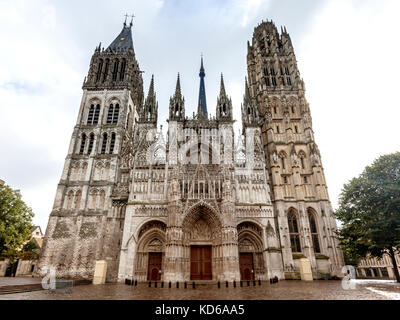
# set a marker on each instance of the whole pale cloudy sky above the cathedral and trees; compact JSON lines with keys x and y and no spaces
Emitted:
{"x":347,"y":52}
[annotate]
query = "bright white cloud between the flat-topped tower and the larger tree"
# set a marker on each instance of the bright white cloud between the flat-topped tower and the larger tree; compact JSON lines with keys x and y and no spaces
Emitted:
{"x":349,"y":61}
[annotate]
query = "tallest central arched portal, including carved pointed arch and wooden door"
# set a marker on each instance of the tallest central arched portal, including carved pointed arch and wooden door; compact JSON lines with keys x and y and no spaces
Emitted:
{"x":202,"y":244}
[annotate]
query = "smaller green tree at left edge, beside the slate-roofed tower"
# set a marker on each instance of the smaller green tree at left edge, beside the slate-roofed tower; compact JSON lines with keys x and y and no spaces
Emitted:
{"x":15,"y":222}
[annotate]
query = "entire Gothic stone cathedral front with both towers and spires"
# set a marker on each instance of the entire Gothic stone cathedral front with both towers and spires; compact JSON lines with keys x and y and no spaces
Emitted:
{"x":202,"y":203}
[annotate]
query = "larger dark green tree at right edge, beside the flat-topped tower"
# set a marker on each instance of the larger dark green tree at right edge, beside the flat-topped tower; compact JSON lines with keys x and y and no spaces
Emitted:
{"x":369,"y":209}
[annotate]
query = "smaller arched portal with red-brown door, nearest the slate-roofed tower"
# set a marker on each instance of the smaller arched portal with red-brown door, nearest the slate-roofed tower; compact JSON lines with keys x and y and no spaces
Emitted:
{"x":150,"y":251}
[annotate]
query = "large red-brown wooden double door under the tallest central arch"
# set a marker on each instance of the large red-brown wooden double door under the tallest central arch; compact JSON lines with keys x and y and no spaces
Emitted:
{"x":200,"y":263}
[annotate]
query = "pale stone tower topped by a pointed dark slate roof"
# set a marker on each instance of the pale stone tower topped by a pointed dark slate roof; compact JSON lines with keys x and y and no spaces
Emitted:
{"x":87,"y":219}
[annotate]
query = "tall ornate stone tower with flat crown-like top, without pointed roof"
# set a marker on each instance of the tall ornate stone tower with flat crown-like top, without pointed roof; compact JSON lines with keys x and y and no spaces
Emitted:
{"x":299,"y":191}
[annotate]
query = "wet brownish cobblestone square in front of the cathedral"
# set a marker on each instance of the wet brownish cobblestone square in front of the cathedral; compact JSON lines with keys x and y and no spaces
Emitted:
{"x":284,"y":290}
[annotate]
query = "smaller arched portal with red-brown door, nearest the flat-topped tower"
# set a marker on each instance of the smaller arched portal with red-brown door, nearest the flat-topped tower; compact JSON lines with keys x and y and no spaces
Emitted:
{"x":251,"y":260}
